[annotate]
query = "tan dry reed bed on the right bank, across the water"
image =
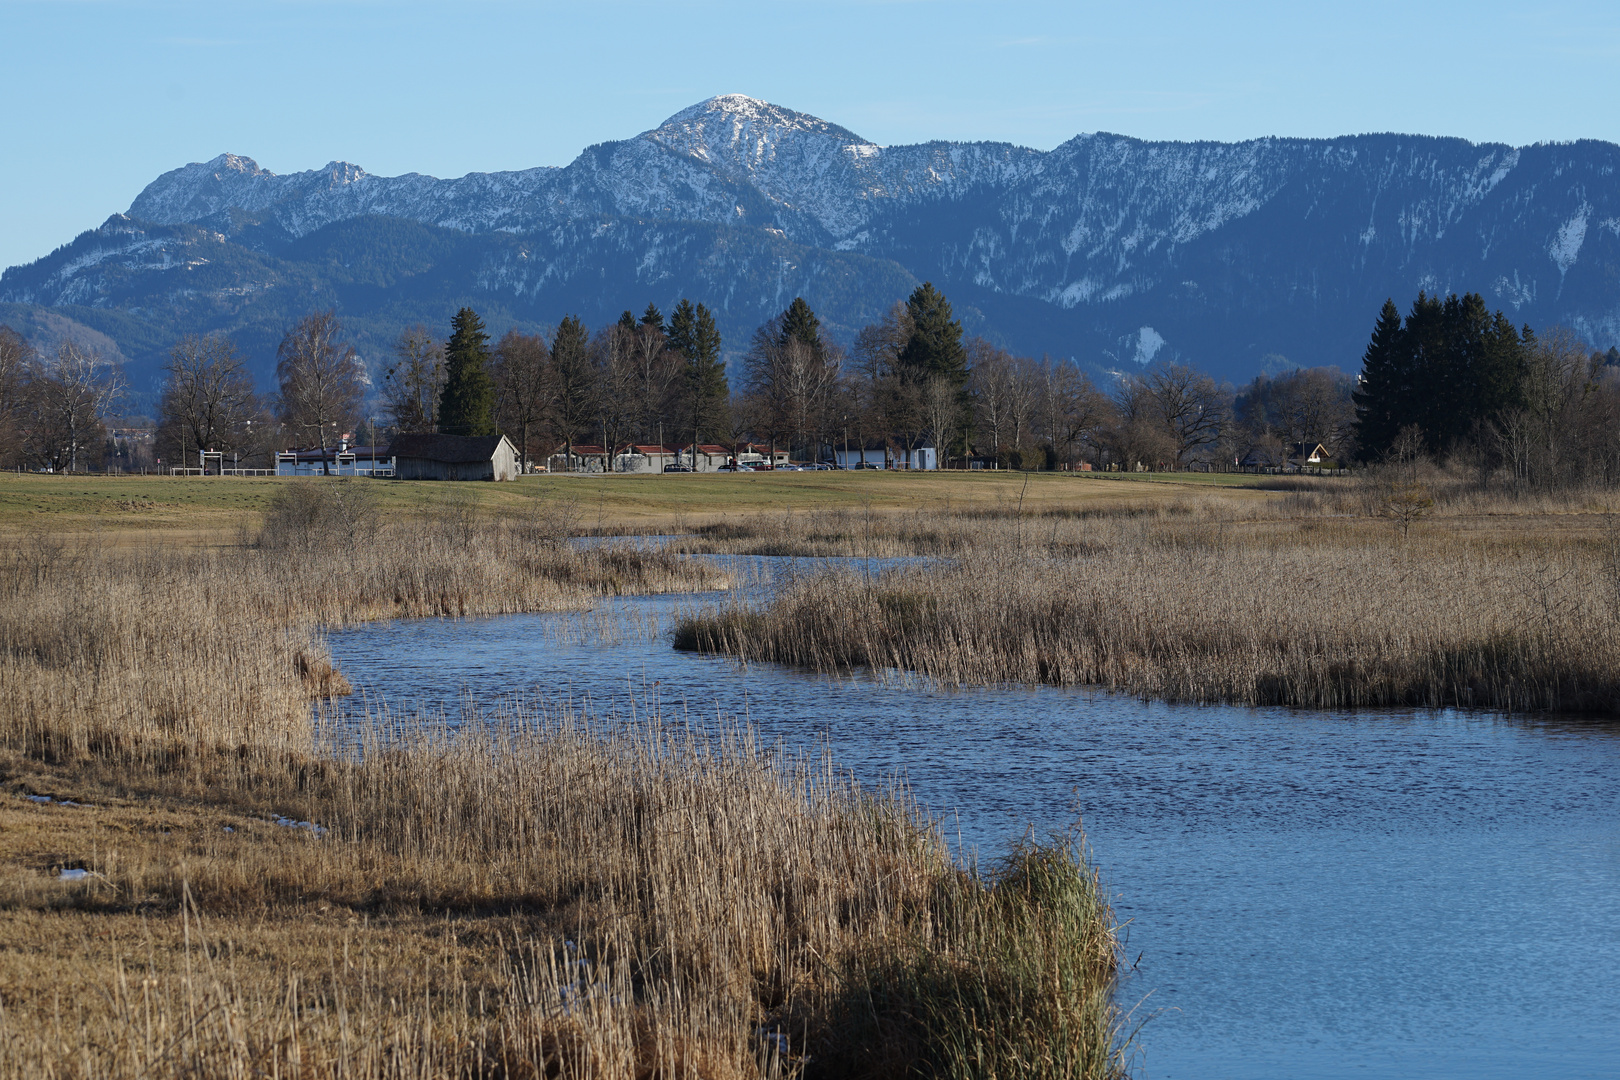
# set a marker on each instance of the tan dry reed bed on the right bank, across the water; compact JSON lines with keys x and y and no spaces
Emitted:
{"x":1297,"y":603}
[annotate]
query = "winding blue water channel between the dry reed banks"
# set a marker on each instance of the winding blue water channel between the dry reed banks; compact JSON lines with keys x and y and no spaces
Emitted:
{"x":1310,"y":895}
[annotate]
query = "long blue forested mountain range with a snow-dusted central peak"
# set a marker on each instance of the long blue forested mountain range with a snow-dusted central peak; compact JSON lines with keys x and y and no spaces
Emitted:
{"x":1107,"y":249}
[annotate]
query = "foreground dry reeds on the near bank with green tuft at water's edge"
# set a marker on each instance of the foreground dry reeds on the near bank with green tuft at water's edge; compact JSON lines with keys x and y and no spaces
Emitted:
{"x":699,"y":909}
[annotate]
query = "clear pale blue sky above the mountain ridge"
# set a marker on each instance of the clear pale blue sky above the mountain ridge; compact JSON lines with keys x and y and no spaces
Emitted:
{"x":101,"y":96}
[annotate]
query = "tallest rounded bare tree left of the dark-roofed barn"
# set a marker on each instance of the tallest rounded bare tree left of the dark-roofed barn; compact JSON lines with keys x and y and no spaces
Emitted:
{"x":323,"y":381}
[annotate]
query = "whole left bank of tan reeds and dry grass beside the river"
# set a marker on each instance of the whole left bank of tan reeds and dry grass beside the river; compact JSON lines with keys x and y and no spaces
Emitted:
{"x":537,"y":895}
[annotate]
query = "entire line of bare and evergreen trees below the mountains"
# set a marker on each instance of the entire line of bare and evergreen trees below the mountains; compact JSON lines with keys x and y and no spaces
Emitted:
{"x":1451,"y":380}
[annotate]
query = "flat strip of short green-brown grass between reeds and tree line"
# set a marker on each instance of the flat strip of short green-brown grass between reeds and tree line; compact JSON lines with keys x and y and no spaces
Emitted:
{"x":207,"y":506}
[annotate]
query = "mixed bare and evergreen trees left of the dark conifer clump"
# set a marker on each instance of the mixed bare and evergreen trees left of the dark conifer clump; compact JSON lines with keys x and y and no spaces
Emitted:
{"x":910,"y":380}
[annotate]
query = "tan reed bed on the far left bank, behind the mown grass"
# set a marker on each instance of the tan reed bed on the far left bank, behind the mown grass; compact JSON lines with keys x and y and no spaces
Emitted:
{"x":163,"y":652}
